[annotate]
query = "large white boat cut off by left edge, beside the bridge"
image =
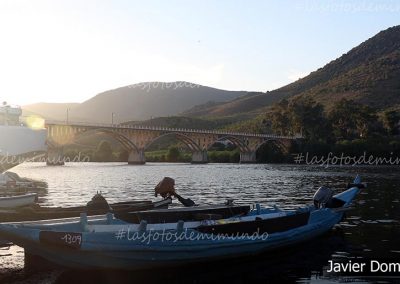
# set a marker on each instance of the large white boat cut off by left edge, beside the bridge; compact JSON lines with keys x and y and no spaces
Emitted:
{"x":18,"y":141}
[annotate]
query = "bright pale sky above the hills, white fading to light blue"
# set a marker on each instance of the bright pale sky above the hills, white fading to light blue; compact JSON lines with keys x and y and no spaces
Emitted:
{"x":69,"y":51}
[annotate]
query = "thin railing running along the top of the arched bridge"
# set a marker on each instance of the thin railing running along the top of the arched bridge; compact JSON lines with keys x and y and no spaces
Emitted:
{"x":162,"y":128}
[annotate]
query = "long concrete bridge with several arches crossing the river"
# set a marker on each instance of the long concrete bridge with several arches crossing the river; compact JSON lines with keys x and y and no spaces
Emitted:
{"x":135,"y":139}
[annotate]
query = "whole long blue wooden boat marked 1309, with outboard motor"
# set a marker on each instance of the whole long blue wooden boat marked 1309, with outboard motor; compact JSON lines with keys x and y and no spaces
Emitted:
{"x":107,"y":242}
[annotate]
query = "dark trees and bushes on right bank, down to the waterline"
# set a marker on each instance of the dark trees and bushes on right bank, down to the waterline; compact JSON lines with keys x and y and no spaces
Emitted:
{"x":349,"y":127}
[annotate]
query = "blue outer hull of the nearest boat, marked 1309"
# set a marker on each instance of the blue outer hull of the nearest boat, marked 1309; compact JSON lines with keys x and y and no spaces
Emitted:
{"x":105,"y":251}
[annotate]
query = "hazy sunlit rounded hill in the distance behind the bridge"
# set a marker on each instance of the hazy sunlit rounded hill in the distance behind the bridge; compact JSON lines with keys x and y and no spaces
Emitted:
{"x":137,"y":102}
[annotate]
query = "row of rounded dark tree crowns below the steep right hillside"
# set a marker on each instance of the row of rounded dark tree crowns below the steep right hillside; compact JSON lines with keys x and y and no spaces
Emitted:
{"x":347,"y":120}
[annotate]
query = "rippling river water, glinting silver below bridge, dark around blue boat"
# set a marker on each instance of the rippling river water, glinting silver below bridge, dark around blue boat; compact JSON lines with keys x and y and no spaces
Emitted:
{"x":371,"y":230}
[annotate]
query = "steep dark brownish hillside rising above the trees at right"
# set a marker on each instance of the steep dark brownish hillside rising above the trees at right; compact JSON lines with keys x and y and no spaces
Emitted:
{"x":368,"y":73}
